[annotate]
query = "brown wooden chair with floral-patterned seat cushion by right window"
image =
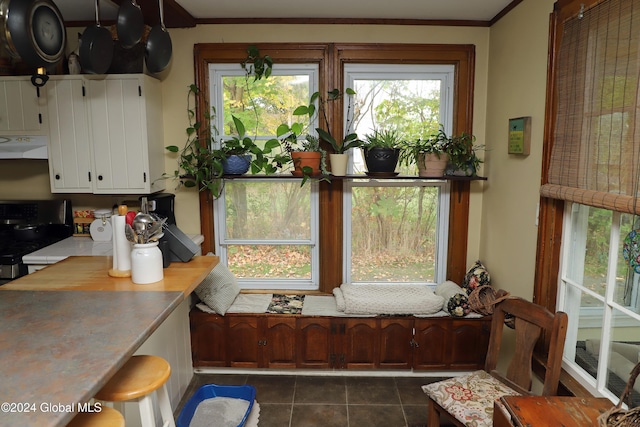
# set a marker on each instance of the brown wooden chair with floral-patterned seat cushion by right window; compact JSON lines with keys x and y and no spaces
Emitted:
{"x":469,"y":399}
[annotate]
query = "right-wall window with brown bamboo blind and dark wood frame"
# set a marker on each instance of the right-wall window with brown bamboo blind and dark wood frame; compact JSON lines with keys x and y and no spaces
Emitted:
{"x":591,"y":196}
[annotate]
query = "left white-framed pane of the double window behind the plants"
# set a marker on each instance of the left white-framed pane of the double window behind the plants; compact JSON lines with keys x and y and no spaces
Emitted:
{"x":267,"y":230}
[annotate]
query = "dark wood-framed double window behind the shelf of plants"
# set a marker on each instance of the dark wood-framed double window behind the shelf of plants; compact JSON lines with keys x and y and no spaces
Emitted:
{"x":308,"y":232}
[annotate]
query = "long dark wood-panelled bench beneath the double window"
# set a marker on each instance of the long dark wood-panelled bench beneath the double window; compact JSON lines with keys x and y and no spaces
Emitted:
{"x":321,"y":337}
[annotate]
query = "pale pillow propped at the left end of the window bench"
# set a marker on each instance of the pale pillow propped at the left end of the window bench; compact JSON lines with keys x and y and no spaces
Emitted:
{"x":219,"y":289}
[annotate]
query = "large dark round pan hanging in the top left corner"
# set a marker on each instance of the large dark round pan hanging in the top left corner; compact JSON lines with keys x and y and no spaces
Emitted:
{"x":33,"y":30}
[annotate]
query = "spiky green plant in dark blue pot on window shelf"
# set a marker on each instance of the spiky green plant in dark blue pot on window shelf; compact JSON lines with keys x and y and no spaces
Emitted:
{"x":381,"y":151}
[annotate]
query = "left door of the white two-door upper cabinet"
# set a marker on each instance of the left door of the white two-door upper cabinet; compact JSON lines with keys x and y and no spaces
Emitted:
{"x":69,"y":140}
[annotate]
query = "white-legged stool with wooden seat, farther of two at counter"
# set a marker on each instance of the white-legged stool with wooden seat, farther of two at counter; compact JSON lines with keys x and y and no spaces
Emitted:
{"x":137,"y":380}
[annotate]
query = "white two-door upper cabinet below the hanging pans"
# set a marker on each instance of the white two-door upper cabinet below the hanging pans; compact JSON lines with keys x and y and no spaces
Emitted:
{"x":106,"y":134}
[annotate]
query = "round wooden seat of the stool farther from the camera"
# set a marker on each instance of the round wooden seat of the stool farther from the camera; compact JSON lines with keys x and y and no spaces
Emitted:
{"x":138,"y":377}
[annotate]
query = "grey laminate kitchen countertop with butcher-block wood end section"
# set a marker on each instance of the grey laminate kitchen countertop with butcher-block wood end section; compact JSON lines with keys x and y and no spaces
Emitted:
{"x":66,"y":329}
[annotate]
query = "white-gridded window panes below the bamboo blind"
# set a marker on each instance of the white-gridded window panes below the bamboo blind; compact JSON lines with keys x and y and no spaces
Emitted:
{"x":599,"y":290}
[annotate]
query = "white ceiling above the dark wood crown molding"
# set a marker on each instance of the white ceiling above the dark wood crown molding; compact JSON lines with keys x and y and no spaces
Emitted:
{"x":188,"y":13}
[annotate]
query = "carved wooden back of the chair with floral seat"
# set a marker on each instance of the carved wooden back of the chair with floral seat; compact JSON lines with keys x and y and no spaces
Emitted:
{"x":530,"y":322}
